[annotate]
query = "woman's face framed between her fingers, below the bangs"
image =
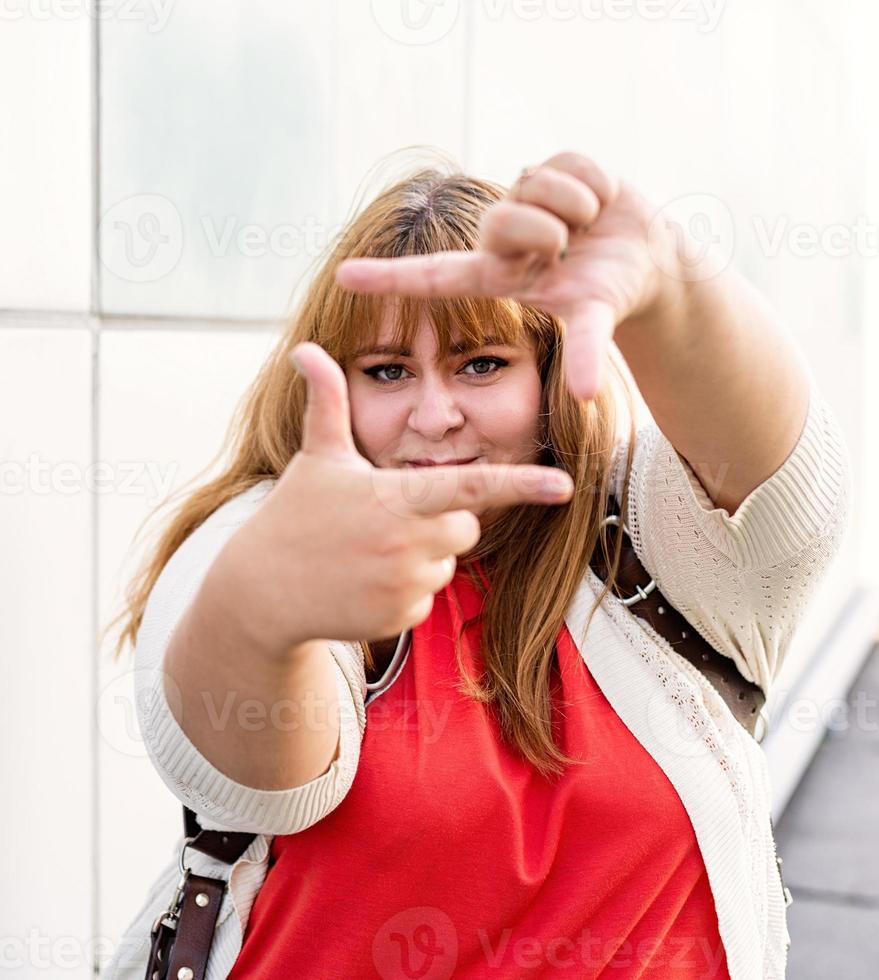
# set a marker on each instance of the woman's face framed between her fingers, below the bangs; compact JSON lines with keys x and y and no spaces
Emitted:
{"x":406,"y":408}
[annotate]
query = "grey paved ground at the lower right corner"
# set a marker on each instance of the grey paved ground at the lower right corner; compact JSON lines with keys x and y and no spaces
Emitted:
{"x":828,"y":838}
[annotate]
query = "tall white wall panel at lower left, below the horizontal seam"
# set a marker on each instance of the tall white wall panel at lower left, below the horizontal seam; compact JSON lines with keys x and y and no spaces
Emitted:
{"x":46,"y":756}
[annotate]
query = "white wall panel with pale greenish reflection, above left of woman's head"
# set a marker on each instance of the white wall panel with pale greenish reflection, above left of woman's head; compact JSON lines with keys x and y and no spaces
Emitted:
{"x":216,"y":174}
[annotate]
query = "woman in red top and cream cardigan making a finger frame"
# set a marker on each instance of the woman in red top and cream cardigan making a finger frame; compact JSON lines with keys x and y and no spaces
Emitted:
{"x":528,"y":798}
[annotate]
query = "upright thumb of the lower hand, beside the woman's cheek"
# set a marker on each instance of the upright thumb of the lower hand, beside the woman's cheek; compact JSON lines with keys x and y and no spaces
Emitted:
{"x":326,"y":429}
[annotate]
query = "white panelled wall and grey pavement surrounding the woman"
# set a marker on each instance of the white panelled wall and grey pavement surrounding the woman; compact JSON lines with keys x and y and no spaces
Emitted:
{"x":170,"y":173}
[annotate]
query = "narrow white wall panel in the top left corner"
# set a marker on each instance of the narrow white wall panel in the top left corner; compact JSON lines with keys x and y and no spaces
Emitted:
{"x":45,"y":161}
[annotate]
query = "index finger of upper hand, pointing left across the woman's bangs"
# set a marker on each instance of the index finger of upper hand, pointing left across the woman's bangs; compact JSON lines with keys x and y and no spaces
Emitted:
{"x":452,"y":273}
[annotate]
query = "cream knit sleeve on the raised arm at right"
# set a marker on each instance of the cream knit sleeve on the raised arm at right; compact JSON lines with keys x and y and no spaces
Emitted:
{"x":743,"y":581}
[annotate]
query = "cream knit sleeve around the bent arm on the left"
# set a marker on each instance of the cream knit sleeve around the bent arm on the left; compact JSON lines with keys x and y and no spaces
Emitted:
{"x":221,"y":802}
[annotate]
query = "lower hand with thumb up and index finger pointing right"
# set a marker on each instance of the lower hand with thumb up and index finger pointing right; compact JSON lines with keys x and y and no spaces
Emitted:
{"x":344,"y":550}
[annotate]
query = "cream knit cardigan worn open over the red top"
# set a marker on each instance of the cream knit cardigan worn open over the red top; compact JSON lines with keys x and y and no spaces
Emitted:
{"x":743,"y":582}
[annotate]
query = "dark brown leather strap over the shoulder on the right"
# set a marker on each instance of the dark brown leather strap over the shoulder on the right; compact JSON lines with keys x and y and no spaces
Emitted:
{"x":743,"y":698}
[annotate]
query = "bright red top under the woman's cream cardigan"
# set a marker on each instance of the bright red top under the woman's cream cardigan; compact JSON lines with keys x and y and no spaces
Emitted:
{"x":452,"y":857}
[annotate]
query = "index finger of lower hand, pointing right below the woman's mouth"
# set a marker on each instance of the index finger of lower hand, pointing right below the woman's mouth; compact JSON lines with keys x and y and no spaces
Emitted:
{"x":477,"y":487}
